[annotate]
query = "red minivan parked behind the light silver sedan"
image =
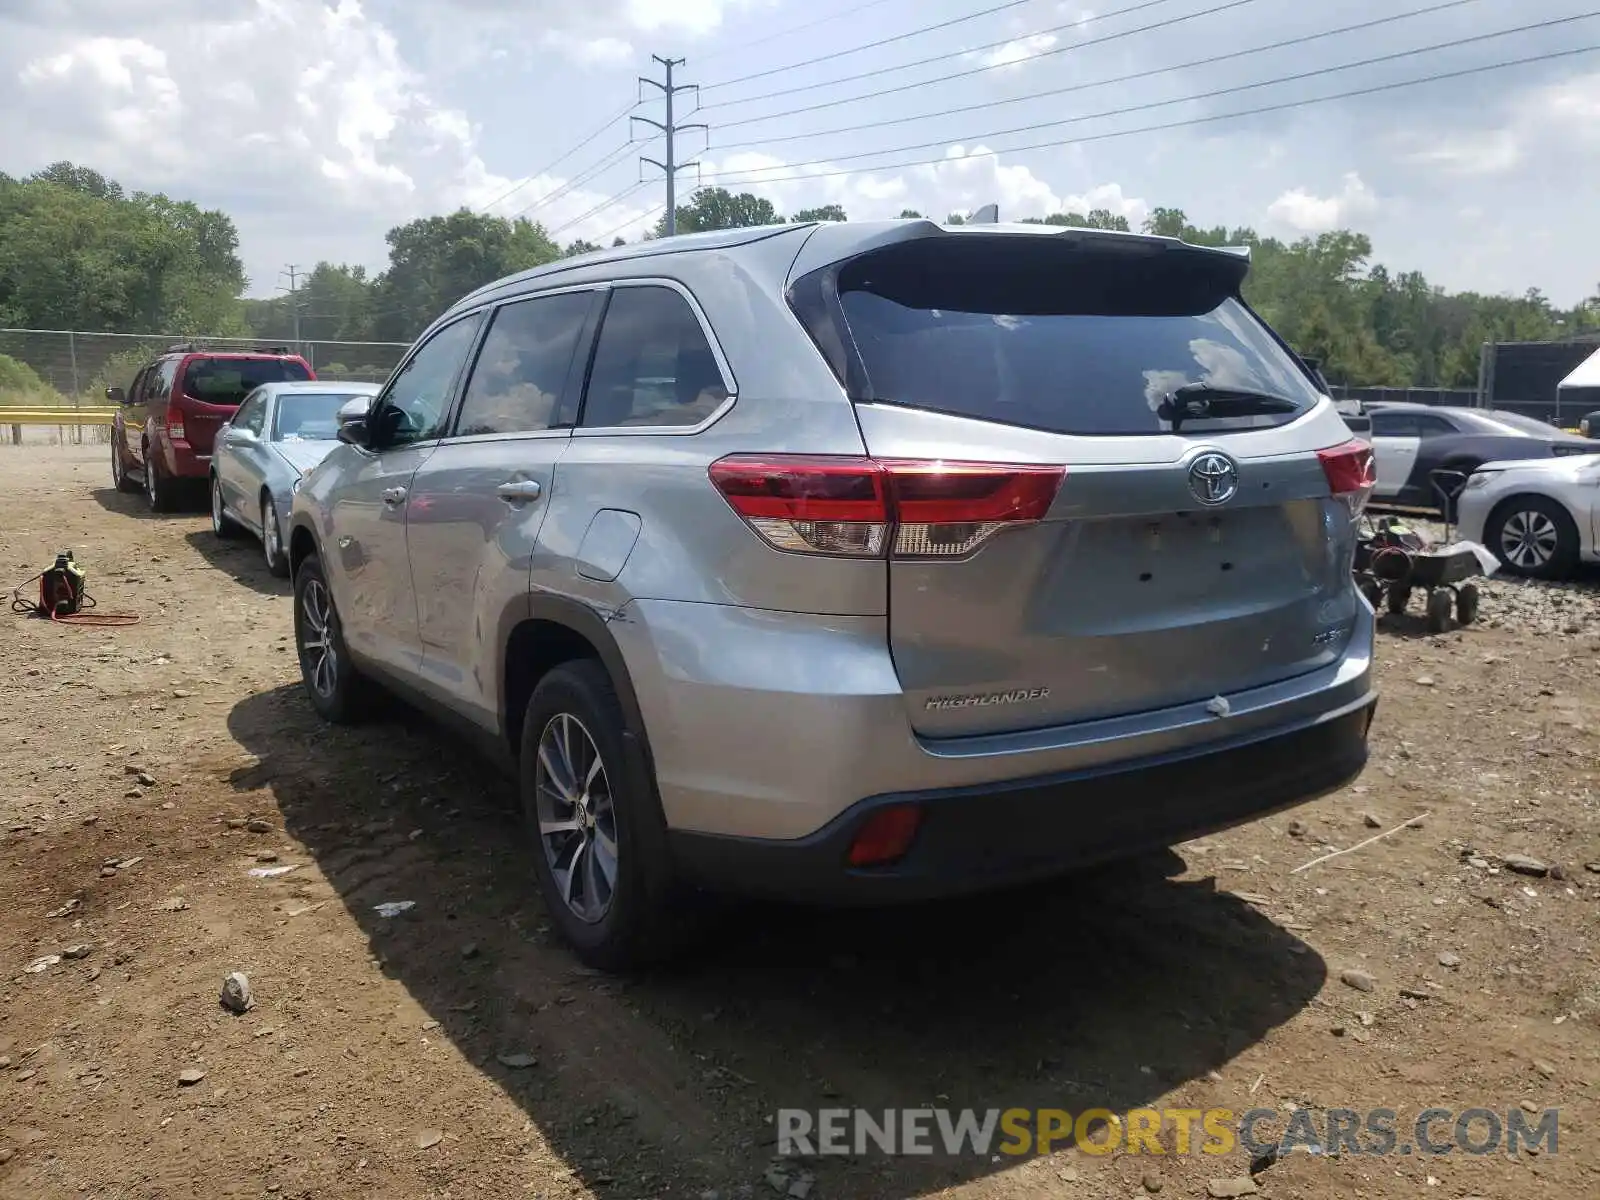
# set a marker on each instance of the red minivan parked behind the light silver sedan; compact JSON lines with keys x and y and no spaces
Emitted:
{"x":166,"y":422}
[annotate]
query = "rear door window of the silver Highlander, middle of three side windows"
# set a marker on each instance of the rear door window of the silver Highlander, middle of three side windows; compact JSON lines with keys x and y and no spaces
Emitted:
{"x":522,"y":369}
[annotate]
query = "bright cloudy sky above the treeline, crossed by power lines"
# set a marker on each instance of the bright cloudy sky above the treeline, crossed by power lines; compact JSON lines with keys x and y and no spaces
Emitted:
{"x":321,"y":124}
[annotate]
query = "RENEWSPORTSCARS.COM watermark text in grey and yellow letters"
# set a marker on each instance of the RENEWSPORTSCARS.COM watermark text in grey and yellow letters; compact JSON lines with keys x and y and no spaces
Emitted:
{"x":1167,"y":1132}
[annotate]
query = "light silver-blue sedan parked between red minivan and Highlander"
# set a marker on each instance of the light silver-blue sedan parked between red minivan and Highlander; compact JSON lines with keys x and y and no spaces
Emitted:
{"x":273,"y":441}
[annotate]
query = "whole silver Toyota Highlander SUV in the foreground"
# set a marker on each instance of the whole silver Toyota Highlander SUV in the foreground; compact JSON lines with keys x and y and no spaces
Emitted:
{"x":852,"y":562}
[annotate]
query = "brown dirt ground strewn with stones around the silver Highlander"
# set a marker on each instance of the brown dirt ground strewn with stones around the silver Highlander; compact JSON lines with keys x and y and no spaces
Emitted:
{"x":458,"y":1052}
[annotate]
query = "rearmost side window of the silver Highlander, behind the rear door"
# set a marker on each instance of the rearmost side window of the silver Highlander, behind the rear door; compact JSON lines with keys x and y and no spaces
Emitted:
{"x":654,"y":366}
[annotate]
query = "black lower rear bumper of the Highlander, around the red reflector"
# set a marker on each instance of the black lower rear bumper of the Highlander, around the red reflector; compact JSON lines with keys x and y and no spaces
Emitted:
{"x":991,"y":836}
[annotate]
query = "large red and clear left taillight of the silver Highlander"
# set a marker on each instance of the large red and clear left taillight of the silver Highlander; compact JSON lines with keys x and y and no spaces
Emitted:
{"x":865,"y":506}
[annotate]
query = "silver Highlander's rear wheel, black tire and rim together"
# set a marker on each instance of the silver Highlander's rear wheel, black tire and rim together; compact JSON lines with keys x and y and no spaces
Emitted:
{"x":617,"y":918}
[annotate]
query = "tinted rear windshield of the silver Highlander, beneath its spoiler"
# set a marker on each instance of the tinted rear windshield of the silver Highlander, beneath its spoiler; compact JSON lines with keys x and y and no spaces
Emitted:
{"x":1071,"y":338}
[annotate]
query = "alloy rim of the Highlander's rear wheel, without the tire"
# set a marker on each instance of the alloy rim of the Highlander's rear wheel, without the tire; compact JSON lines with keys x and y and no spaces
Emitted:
{"x":577,"y":817}
